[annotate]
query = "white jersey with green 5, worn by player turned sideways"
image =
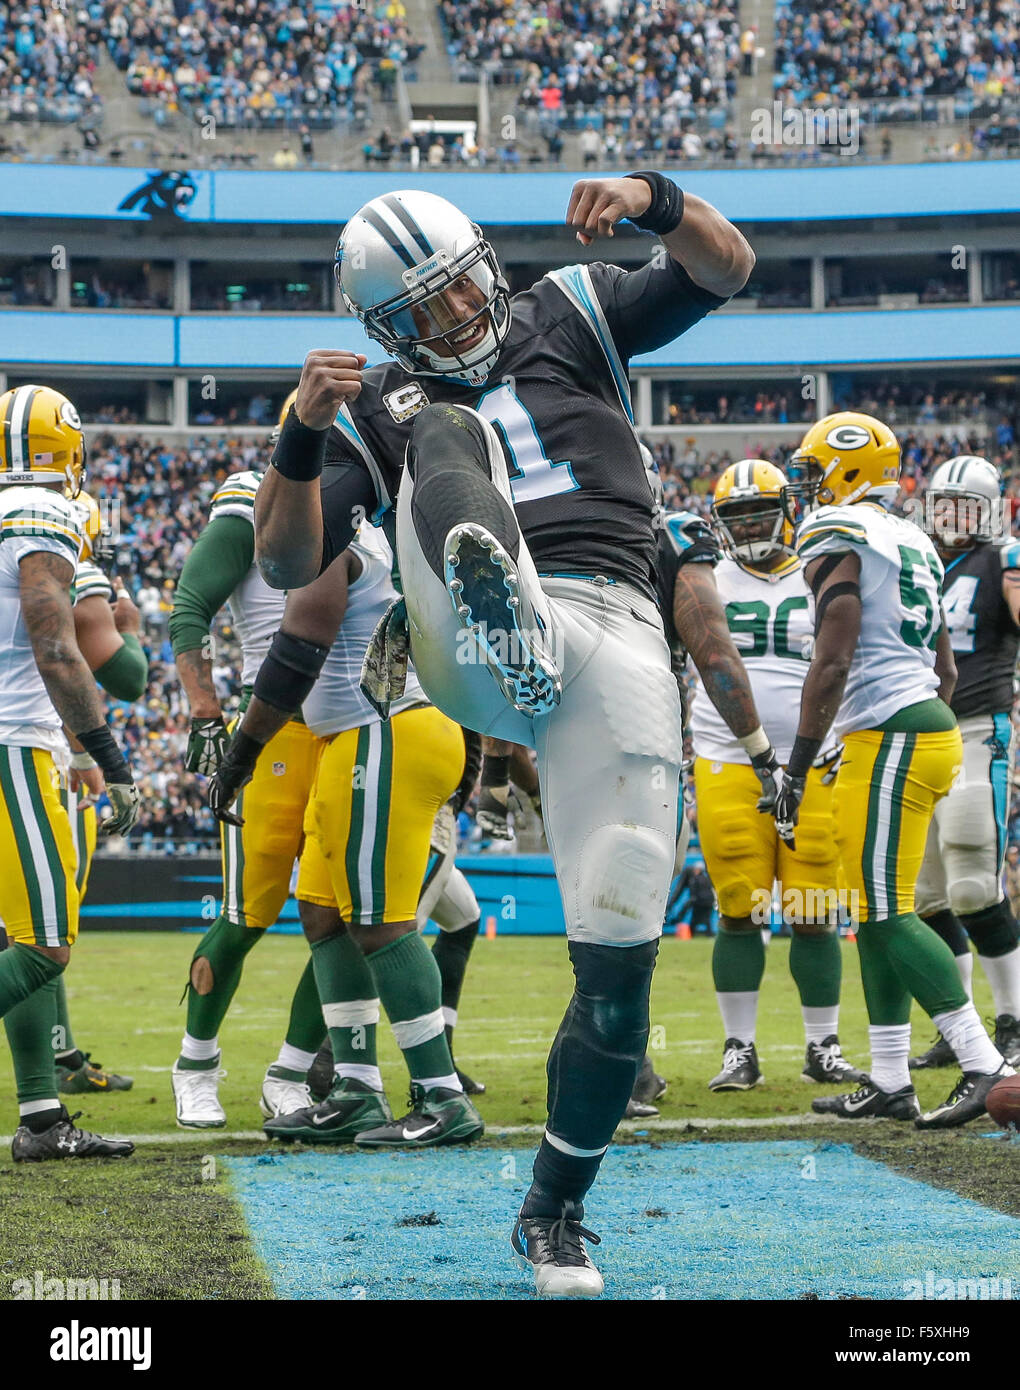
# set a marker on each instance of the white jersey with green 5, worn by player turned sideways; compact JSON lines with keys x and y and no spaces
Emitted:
{"x":901,"y":590}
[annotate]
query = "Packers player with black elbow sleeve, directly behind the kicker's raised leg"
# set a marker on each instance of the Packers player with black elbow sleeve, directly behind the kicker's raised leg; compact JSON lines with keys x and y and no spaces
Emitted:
{"x":379,"y":787}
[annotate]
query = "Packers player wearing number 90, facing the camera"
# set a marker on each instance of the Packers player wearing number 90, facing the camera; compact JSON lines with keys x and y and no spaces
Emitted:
{"x":771,"y":614}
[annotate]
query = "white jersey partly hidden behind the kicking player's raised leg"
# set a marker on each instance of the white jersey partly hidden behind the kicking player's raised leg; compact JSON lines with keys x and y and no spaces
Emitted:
{"x":337,"y":701}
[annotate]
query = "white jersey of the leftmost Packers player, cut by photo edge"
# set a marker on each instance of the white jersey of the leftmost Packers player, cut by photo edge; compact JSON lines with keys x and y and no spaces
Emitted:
{"x":31,"y":519}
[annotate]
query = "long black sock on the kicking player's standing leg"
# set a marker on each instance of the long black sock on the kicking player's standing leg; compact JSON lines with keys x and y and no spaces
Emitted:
{"x":593,"y":1067}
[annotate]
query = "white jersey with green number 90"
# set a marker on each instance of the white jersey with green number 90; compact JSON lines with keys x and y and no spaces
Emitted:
{"x":772,"y":622}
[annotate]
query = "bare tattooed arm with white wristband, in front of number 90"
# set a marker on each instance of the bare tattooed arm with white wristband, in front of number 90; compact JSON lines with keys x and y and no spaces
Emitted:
{"x":701,"y":625}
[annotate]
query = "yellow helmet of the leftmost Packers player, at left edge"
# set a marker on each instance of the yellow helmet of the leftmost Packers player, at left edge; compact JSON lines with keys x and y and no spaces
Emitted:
{"x":41,"y":440}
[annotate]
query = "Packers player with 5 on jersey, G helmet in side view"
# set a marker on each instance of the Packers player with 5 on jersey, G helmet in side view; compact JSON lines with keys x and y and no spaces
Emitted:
{"x":882,"y":672}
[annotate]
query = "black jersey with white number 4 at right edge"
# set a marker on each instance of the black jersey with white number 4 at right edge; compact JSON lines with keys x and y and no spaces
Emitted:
{"x":983,"y":635}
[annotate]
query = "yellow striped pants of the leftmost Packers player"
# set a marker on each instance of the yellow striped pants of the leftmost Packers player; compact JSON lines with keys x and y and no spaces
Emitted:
{"x":38,"y":892}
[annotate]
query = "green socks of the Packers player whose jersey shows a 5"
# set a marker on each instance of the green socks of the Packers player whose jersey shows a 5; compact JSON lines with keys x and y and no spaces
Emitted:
{"x":901,"y":958}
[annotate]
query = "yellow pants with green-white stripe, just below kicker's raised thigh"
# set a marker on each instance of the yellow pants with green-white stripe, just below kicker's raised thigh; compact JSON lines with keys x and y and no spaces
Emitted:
{"x":370,"y":818}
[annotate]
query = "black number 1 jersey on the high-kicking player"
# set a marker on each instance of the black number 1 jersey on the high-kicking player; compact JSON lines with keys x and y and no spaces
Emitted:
{"x":559,"y":401}
